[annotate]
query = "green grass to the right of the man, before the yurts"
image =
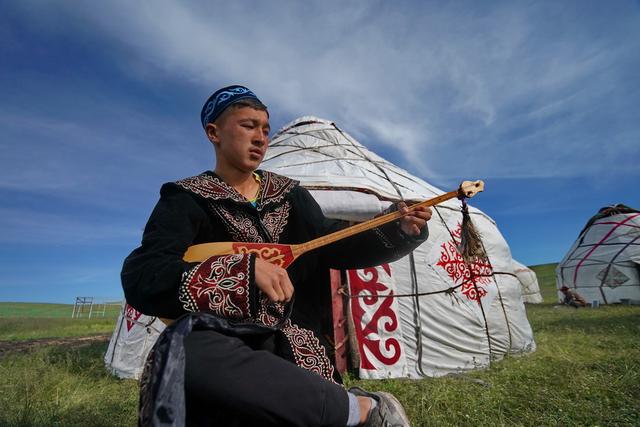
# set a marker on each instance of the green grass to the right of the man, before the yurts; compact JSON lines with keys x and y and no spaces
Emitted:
{"x":586,"y":371}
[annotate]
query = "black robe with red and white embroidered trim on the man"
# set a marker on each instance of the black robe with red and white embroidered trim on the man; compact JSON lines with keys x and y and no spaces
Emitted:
{"x":203,"y":209}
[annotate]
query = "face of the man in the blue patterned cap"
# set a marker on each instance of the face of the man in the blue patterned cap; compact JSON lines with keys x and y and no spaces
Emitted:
{"x":241,"y":138}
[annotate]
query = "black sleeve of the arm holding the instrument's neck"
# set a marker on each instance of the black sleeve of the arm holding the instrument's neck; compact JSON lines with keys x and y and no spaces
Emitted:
{"x":383,"y":244}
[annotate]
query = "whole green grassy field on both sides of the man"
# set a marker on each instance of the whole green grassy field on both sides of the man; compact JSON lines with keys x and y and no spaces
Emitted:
{"x":586,"y":371}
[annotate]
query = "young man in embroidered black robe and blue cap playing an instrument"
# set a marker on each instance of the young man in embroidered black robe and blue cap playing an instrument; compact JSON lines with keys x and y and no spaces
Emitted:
{"x":249,"y":346}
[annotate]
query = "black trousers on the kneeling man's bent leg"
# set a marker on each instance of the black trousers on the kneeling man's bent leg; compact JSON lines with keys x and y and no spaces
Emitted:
{"x":239,"y":381}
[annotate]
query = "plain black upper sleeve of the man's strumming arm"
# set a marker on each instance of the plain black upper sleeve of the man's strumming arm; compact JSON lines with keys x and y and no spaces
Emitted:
{"x":152,"y":273}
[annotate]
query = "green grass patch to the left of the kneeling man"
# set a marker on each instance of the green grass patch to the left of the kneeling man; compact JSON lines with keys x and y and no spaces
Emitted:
{"x":63,"y":386}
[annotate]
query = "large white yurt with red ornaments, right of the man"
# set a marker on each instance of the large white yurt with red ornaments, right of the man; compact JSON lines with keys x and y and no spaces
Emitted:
{"x":445,"y":315}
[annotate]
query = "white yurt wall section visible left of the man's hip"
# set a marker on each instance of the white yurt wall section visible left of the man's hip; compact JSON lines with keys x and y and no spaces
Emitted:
{"x":133,"y":337}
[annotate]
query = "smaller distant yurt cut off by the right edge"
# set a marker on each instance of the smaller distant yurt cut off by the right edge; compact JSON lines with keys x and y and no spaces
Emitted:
{"x":604,"y":262}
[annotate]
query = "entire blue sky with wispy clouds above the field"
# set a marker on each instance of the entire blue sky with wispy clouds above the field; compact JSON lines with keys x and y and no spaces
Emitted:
{"x":100,"y":105}
